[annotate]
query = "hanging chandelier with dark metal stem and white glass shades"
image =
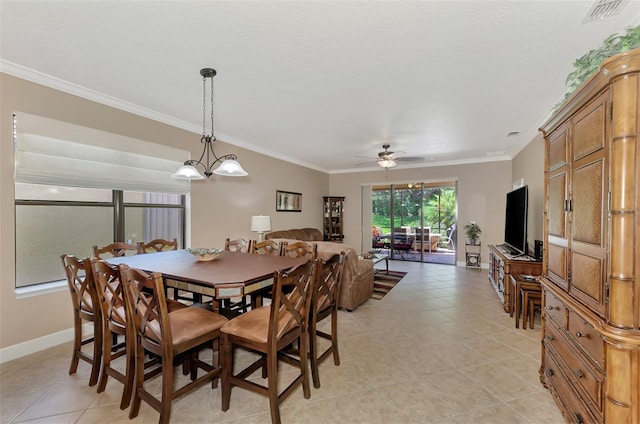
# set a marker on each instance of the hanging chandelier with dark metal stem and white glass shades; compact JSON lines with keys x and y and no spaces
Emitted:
{"x":229,"y":164}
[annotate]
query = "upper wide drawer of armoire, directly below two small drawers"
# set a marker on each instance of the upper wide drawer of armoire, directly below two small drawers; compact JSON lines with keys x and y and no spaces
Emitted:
{"x":577,"y":370}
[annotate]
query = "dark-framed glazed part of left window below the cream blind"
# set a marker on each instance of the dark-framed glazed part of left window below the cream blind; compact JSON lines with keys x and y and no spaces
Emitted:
{"x":54,"y":220}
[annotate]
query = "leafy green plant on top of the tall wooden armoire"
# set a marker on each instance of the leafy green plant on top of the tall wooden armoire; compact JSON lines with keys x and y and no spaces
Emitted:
{"x":589,"y":63}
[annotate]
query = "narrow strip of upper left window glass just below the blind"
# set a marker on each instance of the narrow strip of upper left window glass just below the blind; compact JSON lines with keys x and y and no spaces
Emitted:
{"x":26,"y":191}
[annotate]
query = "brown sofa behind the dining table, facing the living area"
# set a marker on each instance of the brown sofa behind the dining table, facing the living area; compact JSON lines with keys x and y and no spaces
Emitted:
{"x":356,"y":284}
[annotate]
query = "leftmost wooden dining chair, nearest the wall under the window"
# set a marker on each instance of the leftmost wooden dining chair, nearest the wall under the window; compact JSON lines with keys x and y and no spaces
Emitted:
{"x":86,"y":307}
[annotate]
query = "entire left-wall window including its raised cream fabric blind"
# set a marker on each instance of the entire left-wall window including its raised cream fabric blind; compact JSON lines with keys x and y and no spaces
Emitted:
{"x":76,"y":187}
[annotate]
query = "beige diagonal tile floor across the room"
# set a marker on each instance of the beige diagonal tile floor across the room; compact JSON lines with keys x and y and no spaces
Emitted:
{"x":437,"y":349}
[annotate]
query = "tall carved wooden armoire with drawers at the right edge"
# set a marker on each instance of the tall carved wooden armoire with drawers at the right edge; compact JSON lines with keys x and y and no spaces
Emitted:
{"x":591,"y":320}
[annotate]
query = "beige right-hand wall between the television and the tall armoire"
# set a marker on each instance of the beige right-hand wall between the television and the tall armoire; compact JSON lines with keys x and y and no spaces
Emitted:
{"x":529,"y":165}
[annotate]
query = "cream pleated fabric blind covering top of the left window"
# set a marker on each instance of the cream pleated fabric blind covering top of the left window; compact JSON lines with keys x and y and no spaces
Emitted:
{"x":58,"y":153}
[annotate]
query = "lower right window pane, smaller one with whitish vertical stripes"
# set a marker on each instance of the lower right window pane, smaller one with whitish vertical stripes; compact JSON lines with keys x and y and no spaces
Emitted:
{"x":146,"y":224}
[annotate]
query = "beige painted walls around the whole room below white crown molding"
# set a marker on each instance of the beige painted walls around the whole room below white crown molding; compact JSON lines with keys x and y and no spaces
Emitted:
{"x":222,"y":207}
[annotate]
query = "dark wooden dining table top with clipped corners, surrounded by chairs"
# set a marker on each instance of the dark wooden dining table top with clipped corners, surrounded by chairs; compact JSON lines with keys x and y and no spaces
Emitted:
{"x":231,"y":274}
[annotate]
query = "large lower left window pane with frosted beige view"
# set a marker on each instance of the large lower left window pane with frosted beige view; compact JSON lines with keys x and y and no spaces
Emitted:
{"x":44,"y":233}
